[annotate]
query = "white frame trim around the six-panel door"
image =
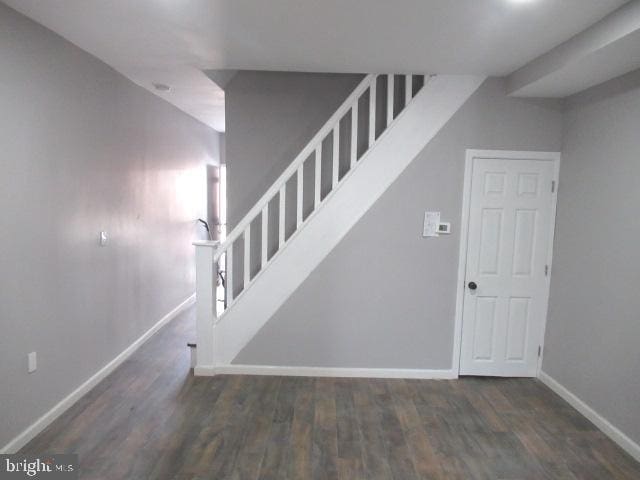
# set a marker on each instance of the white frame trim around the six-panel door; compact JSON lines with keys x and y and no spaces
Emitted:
{"x":471,"y":154}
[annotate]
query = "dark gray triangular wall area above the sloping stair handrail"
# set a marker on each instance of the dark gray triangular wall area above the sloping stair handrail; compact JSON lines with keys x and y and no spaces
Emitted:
{"x":270,"y":117}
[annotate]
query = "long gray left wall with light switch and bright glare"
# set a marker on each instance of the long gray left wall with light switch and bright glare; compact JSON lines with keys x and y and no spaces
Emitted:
{"x":84,"y":150}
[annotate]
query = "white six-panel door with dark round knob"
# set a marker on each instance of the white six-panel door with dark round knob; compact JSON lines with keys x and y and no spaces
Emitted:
{"x":511,"y":215}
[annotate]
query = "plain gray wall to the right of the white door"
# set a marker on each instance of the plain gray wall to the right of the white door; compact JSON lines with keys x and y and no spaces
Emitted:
{"x":594,"y":316}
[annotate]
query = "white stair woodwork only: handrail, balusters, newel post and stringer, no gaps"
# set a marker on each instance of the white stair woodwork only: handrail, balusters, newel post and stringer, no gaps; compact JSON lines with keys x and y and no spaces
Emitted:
{"x":220,"y":339}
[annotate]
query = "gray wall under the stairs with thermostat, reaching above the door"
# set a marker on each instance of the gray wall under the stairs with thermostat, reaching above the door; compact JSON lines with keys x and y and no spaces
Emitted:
{"x":385,"y":297}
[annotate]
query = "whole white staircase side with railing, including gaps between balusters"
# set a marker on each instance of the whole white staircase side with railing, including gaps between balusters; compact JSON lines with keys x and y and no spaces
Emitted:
{"x":385,"y":122}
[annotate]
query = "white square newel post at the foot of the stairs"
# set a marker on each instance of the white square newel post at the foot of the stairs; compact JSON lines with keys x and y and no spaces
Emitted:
{"x":206,"y":277}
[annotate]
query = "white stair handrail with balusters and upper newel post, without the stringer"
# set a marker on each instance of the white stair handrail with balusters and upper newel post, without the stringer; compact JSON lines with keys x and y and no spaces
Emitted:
{"x":207,"y":262}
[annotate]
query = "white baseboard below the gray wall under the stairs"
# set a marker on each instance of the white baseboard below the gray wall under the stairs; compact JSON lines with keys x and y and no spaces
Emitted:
{"x":324,"y":372}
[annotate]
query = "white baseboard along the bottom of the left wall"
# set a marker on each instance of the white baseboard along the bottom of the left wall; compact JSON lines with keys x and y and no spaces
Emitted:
{"x":44,"y":421}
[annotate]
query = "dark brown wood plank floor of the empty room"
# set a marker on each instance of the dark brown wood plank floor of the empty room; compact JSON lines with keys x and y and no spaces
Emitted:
{"x":151,"y":419}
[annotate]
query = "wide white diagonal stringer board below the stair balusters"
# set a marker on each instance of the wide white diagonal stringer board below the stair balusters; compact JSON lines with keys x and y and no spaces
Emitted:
{"x":394,"y":150}
